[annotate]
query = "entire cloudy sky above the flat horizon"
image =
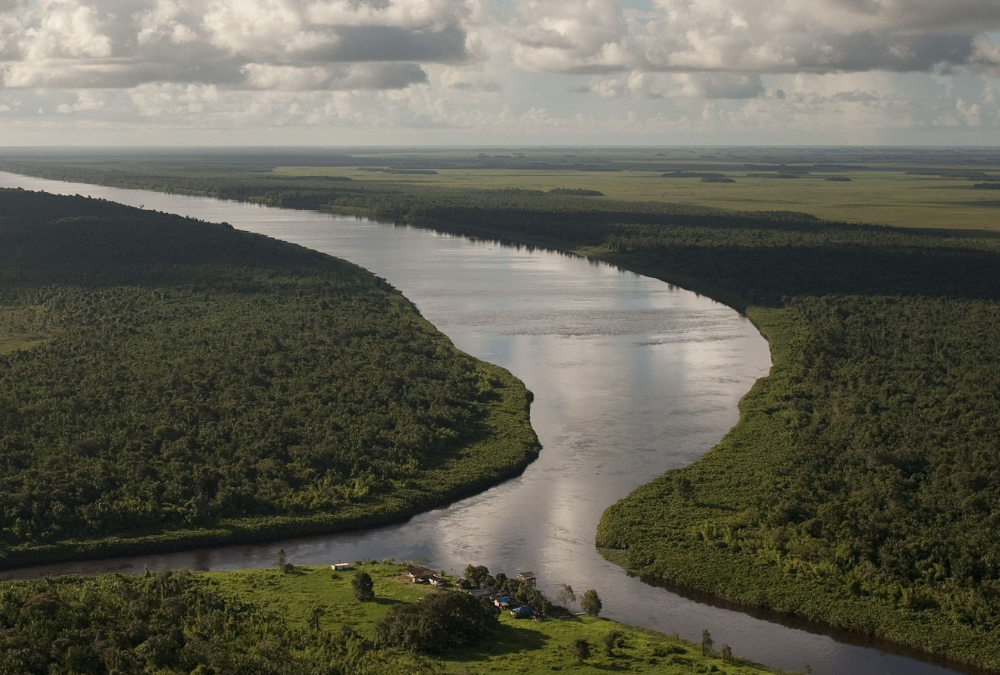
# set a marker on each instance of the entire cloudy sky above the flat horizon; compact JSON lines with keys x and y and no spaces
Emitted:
{"x":654,"y":72}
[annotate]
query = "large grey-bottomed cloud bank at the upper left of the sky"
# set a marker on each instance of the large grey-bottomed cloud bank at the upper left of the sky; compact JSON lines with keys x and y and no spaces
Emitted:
{"x":239,"y":44}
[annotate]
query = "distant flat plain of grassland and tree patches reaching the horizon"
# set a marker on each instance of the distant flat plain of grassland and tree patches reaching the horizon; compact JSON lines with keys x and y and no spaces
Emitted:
{"x":907,"y":188}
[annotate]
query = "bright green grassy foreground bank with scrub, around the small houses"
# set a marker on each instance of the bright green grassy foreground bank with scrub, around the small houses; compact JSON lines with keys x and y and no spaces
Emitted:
{"x":309,"y":620}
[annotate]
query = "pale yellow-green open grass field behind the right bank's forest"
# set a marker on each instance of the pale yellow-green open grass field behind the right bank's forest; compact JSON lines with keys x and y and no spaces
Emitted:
{"x":882,"y":197}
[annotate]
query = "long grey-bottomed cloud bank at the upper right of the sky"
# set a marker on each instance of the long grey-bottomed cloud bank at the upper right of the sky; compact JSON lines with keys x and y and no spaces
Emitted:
{"x":755,"y":36}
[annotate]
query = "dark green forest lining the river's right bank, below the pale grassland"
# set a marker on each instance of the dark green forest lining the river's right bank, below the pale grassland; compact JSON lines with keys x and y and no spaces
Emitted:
{"x":861,"y":486}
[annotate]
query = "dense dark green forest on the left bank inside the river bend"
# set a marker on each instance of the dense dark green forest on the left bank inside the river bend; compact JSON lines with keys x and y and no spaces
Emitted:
{"x":165,"y":381}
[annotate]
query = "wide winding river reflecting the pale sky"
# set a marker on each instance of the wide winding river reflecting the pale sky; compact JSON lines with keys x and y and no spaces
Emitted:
{"x":631,"y":377}
